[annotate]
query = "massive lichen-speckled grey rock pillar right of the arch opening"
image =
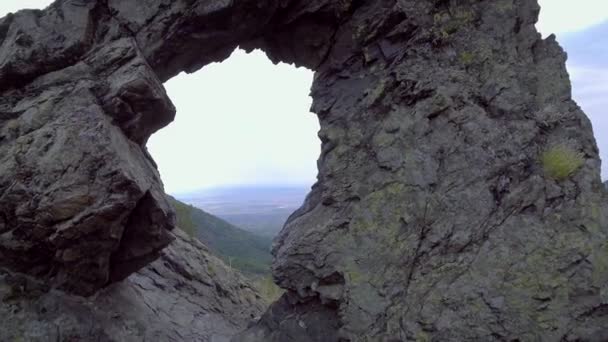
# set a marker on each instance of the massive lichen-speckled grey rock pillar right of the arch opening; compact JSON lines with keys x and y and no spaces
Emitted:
{"x":438,"y":215}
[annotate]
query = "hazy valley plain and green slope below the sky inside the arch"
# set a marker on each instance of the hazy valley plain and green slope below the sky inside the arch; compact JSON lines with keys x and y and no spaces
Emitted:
{"x":238,"y":225}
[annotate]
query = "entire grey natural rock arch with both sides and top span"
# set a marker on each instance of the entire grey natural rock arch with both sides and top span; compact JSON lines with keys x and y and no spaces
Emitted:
{"x":458,"y":197}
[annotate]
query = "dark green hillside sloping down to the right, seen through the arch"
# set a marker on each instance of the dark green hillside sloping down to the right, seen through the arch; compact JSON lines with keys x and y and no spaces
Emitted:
{"x":240,"y":249}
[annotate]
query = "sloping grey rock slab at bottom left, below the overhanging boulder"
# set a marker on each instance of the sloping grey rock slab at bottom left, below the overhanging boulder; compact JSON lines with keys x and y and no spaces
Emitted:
{"x":186,"y":295}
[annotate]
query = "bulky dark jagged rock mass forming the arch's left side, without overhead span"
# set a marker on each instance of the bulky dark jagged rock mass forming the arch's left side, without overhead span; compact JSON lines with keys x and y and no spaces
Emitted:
{"x":81,"y":202}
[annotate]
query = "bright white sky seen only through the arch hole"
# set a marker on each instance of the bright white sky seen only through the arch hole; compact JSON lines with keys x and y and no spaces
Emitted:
{"x":242,"y":122}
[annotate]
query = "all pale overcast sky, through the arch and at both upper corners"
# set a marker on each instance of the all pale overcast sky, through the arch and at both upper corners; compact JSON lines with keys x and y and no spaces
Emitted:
{"x":246,"y":120}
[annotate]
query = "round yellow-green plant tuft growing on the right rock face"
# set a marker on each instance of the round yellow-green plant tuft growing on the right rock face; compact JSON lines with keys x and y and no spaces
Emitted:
{"x":560,"y":162}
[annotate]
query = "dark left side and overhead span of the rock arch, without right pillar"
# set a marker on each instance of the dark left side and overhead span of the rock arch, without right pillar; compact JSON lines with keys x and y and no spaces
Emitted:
{"x":97,"y":69}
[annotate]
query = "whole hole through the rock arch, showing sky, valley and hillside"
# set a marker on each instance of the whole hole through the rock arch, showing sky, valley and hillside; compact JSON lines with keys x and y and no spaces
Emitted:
{"x":243,"y":147}
